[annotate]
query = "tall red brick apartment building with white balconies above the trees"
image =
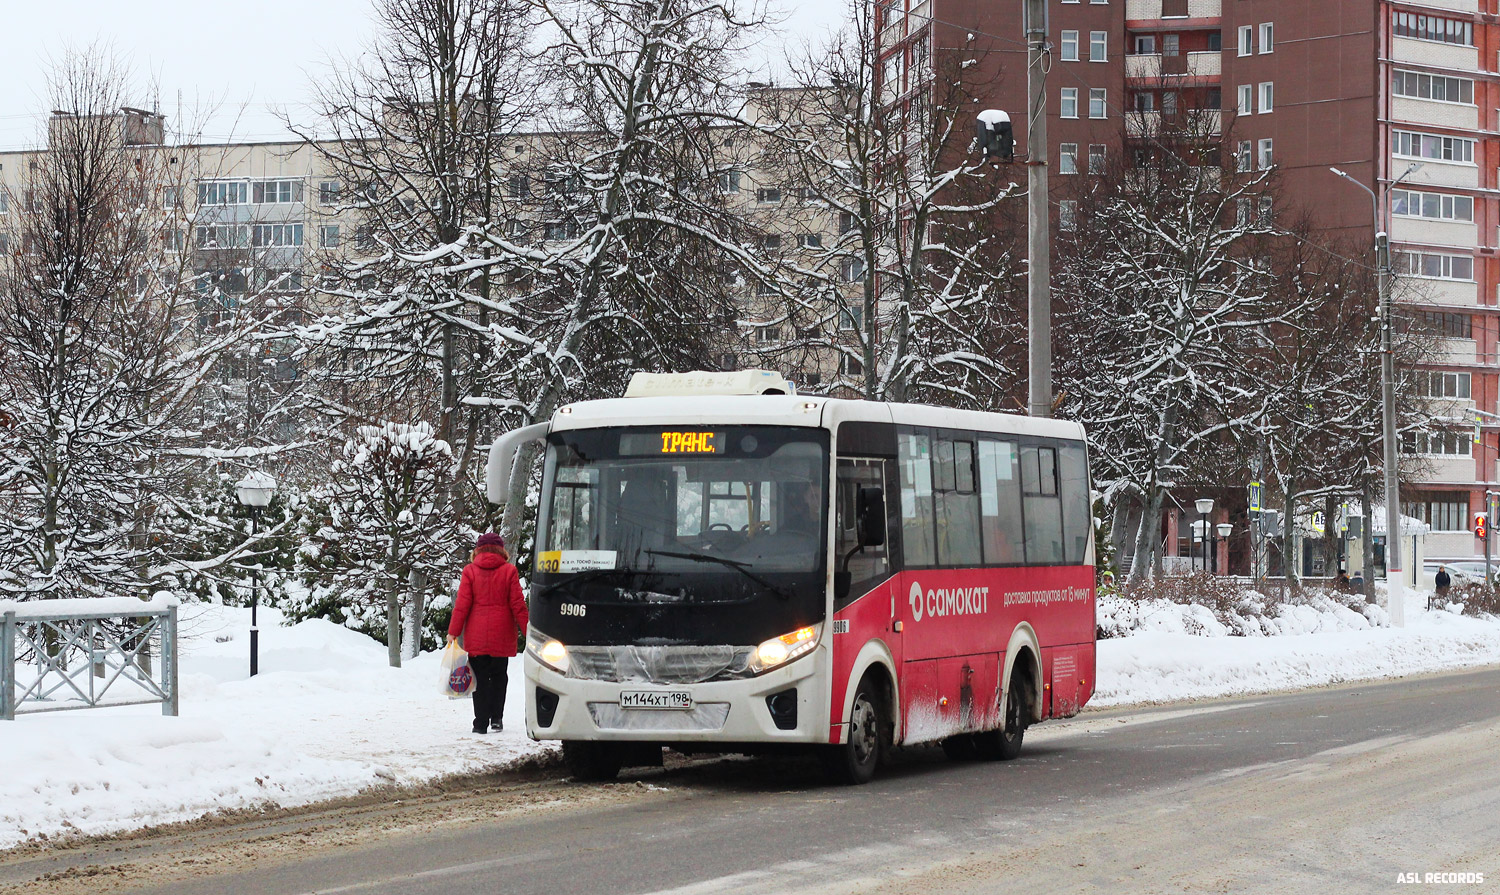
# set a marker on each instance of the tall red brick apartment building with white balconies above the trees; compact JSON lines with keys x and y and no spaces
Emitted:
{"x":1367,"y":86}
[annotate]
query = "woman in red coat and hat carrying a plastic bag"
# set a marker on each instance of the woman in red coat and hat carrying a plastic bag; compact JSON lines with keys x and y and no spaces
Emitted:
{"x":488,"y":614}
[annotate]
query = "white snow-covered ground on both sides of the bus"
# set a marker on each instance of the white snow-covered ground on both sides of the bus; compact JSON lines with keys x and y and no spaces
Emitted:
{"x":328,"y":719}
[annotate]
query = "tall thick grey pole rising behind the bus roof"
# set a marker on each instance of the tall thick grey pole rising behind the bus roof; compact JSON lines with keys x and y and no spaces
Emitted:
{"x":1039,"y":218}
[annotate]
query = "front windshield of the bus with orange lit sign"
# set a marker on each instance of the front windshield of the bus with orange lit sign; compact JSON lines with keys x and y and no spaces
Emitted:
{"x":727,"y":500}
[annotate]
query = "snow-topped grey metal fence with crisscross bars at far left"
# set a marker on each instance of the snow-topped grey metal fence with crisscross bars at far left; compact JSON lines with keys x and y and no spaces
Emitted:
{"x":77,"y":654}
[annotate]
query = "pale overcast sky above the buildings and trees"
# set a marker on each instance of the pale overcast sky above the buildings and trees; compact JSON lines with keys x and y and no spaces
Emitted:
{"x":242,"y":61}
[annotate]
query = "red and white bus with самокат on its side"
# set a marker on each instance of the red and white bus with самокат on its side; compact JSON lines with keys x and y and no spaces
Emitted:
{"x":724,"y":566}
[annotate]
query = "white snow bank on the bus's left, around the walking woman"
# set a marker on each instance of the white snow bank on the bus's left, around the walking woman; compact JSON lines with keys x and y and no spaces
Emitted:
{"x":325,"y":719}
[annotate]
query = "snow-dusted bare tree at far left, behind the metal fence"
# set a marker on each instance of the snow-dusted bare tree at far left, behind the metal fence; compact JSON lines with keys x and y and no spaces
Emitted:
{"x":104,"y":350}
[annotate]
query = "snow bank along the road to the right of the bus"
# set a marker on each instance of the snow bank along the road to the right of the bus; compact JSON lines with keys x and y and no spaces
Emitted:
{"x":1177,"y":651}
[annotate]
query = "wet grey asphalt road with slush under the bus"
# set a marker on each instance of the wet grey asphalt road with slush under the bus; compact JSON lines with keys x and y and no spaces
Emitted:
{"x":1330,"y":791}
